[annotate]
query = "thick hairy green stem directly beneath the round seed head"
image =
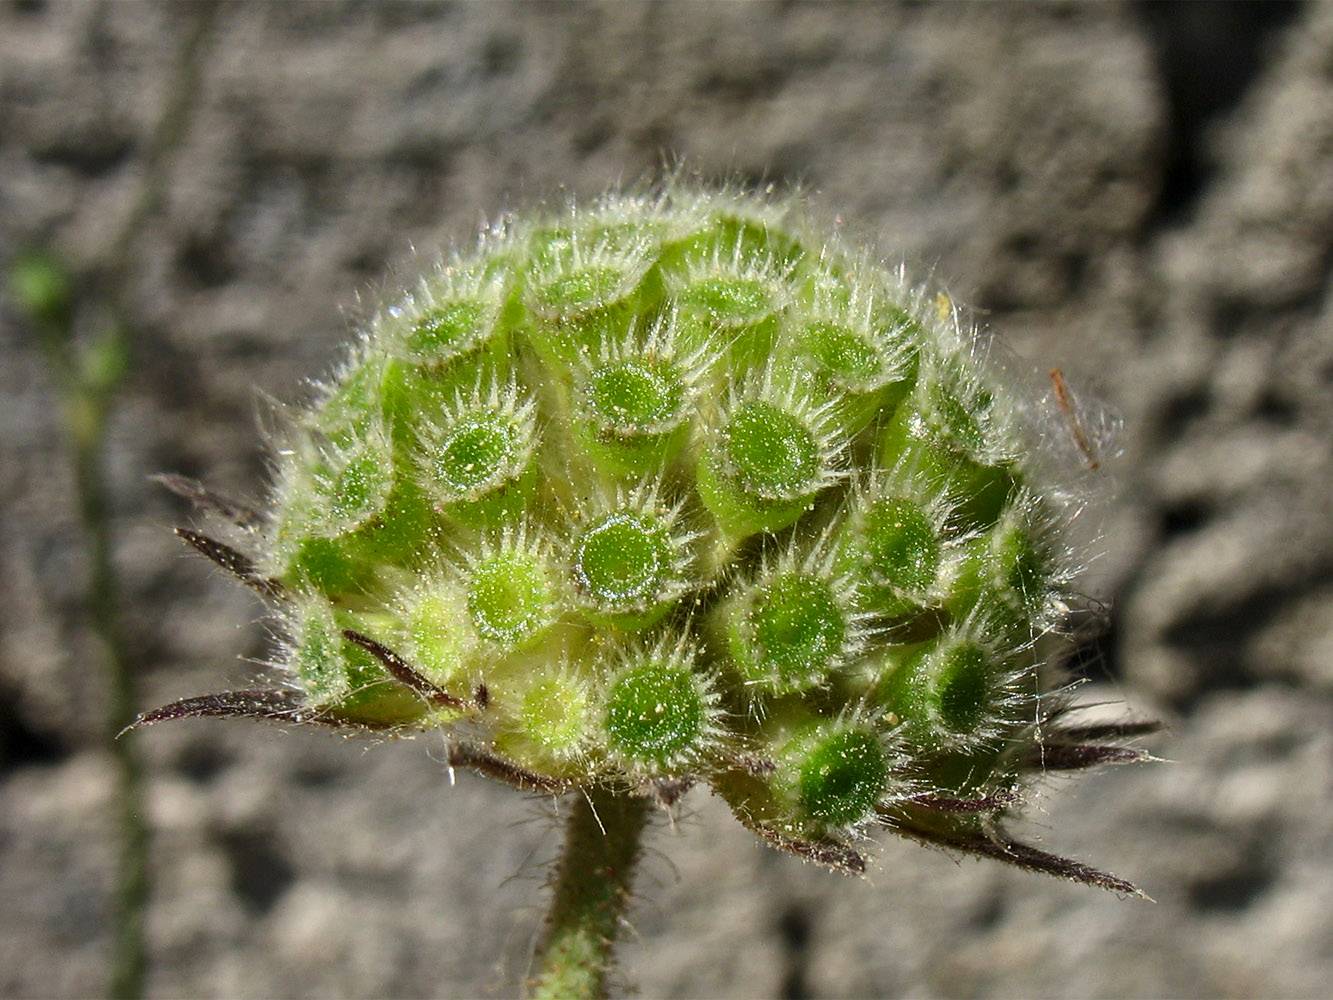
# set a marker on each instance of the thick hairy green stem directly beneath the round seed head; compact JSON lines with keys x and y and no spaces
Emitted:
{"x":591,"y":895}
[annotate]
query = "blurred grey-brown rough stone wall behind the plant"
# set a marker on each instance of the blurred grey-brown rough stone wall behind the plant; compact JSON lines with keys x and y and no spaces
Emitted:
{"x":1140,"y":195}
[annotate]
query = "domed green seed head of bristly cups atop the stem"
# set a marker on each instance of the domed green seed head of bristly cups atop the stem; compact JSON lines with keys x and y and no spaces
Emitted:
{"x":671,"y":490}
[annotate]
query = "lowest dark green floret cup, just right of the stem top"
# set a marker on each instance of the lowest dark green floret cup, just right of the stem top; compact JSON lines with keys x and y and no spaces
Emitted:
{"x":839,"y":775}
